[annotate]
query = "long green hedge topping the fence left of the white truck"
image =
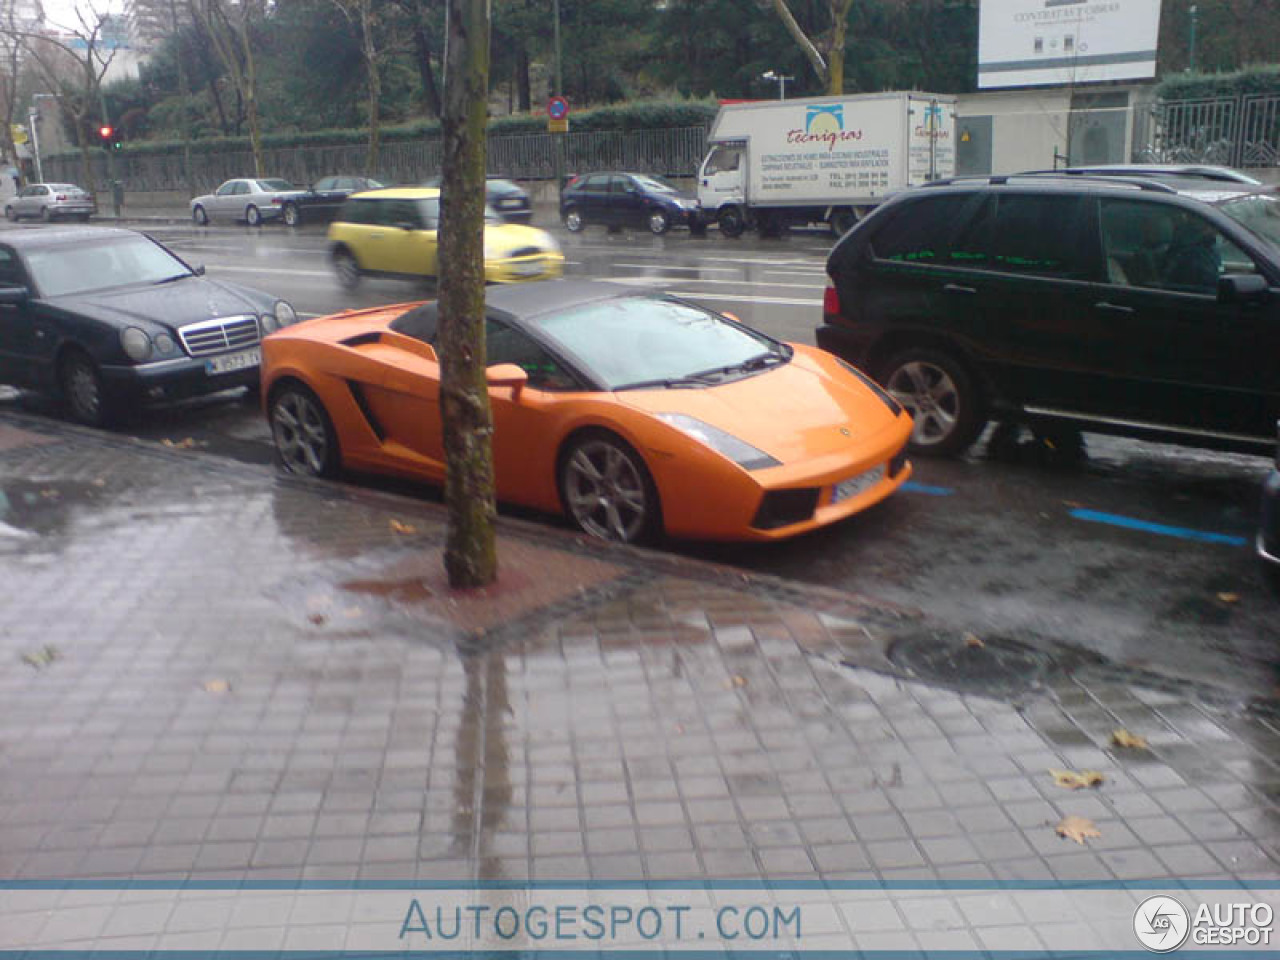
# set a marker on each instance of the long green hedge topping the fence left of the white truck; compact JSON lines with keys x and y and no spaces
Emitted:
{"x":628,"y":117}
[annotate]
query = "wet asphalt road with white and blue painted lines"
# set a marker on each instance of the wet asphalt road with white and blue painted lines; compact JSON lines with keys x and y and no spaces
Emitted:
{"x":1140,"y":554}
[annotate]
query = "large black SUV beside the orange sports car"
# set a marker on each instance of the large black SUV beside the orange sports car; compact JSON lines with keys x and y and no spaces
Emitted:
{"x":1117,"y":305}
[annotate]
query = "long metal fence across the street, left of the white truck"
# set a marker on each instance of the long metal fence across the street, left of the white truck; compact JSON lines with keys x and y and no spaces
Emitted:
{"x":532,"y":157}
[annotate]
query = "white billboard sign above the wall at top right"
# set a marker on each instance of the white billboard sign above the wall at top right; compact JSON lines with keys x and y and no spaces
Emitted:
{"x":1026,"y":43}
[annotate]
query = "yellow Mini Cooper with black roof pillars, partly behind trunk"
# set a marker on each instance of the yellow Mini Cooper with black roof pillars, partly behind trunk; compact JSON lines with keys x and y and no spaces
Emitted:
{"x":394,"y":234}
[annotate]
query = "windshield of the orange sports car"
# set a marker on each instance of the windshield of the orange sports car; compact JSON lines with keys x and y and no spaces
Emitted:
{"x":641,"y":340}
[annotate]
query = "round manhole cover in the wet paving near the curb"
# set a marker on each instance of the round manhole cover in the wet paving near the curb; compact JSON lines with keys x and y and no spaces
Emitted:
{"x":994,"y":668}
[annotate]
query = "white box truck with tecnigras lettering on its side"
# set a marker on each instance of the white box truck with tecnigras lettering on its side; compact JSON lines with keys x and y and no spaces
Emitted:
{"x":822,"y":161}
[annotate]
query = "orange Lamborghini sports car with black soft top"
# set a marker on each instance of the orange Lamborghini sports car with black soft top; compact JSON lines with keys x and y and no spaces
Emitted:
{"x":633,"y":414}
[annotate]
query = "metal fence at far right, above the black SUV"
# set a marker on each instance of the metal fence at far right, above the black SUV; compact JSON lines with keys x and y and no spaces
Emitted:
{"x":1242,"y":131}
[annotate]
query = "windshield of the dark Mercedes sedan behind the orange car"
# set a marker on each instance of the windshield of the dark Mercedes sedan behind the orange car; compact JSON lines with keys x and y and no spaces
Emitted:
{"x":98,"y":266}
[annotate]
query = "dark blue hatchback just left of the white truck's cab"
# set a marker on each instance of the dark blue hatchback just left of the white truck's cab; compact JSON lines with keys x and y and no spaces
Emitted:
{"x":616,"y":200}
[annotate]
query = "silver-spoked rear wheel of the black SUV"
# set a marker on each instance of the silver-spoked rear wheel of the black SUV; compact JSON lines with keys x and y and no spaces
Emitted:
{"x":941,"y":396}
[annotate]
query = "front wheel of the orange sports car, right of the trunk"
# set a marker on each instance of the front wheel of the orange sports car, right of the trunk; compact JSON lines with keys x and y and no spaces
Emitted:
{"x":607,"y":491}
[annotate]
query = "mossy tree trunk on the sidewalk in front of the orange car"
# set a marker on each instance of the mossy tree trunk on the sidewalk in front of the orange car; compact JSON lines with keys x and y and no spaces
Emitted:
{"x":470,"y":550}
